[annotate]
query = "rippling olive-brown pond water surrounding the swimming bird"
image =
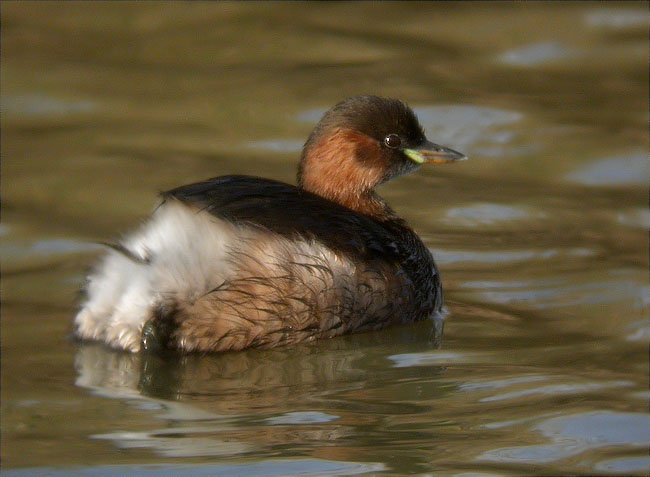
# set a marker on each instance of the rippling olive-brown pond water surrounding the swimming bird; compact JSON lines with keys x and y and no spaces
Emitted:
{"x":541,"y":236}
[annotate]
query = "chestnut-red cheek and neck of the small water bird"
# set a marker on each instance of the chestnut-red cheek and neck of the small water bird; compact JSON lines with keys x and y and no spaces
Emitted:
{"x":345,"y":167}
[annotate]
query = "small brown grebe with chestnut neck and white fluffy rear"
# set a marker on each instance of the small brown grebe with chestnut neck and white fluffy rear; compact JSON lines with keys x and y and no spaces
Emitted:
{"x":236,"y":261}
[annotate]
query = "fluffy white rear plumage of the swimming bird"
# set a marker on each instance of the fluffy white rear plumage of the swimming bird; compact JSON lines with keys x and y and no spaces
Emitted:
{"x":185,"y":251}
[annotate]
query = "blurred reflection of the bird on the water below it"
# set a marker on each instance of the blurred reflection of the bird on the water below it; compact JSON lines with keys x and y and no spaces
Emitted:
{"x":257,"y":400}
